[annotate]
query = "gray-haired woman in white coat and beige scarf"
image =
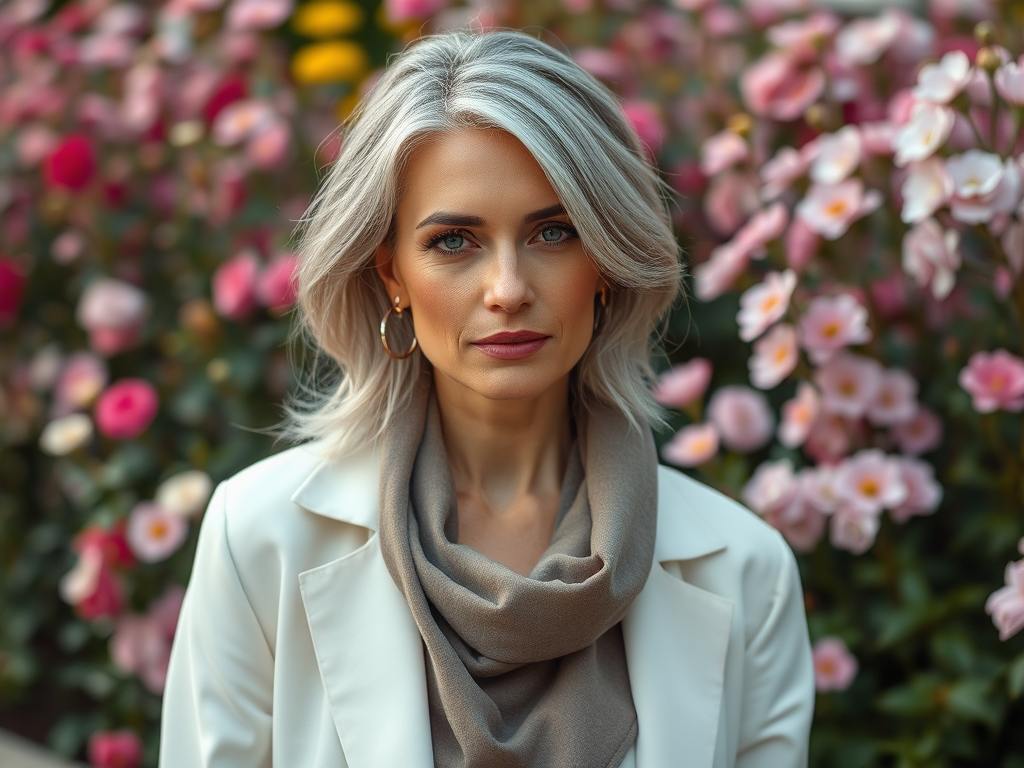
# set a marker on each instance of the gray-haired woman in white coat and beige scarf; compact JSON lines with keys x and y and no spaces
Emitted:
{"x":477,"y":560}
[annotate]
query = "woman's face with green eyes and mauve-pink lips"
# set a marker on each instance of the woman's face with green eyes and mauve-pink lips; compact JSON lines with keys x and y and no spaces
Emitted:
{"x":500,"y":287}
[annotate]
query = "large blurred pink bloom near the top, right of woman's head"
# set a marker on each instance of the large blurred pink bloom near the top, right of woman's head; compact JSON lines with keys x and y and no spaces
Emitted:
{"x":776,"y":87}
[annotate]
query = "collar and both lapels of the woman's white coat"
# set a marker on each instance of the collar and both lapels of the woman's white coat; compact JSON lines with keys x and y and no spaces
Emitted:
{"x":370,"y":653}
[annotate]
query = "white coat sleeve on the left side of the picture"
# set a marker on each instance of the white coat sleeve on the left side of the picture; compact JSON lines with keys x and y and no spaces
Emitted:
{"x":218,"y":701}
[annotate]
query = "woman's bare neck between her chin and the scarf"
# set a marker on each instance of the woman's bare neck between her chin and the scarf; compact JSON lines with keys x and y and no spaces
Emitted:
{"x":504,"y":450}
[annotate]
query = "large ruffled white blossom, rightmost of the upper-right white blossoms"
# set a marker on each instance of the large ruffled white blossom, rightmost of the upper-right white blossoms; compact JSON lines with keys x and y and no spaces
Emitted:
{"x":984,"y":186}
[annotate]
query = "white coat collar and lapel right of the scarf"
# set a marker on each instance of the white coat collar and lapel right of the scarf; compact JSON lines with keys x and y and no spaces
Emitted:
{"x":676,"y":637}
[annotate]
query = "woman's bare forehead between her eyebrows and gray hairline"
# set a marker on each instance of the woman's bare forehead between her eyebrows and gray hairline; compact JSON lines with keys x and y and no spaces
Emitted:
{"x":478,"y":167}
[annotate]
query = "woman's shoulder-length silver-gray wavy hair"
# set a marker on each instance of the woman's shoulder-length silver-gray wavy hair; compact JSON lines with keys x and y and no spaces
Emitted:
{"x":575,"y":129}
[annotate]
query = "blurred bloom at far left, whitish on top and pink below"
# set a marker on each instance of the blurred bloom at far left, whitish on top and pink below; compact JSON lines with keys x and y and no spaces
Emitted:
{"x":113,"y":312}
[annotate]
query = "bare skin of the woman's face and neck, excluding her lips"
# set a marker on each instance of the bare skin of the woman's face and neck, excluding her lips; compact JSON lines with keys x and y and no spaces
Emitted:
{"x":484,"y":247}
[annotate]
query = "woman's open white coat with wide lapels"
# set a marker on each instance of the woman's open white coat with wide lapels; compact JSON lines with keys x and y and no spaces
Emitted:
{"x":295,"y":650}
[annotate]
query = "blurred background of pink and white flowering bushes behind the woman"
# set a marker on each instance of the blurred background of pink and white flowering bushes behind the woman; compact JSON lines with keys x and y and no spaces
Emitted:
{"x":849,"y":182}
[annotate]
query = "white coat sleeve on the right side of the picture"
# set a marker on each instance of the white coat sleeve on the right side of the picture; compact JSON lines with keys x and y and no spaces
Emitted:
{"x":780,"y":678}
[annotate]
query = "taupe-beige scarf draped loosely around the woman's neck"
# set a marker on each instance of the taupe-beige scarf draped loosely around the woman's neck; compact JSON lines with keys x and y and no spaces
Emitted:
{"x":524,"y":671}
